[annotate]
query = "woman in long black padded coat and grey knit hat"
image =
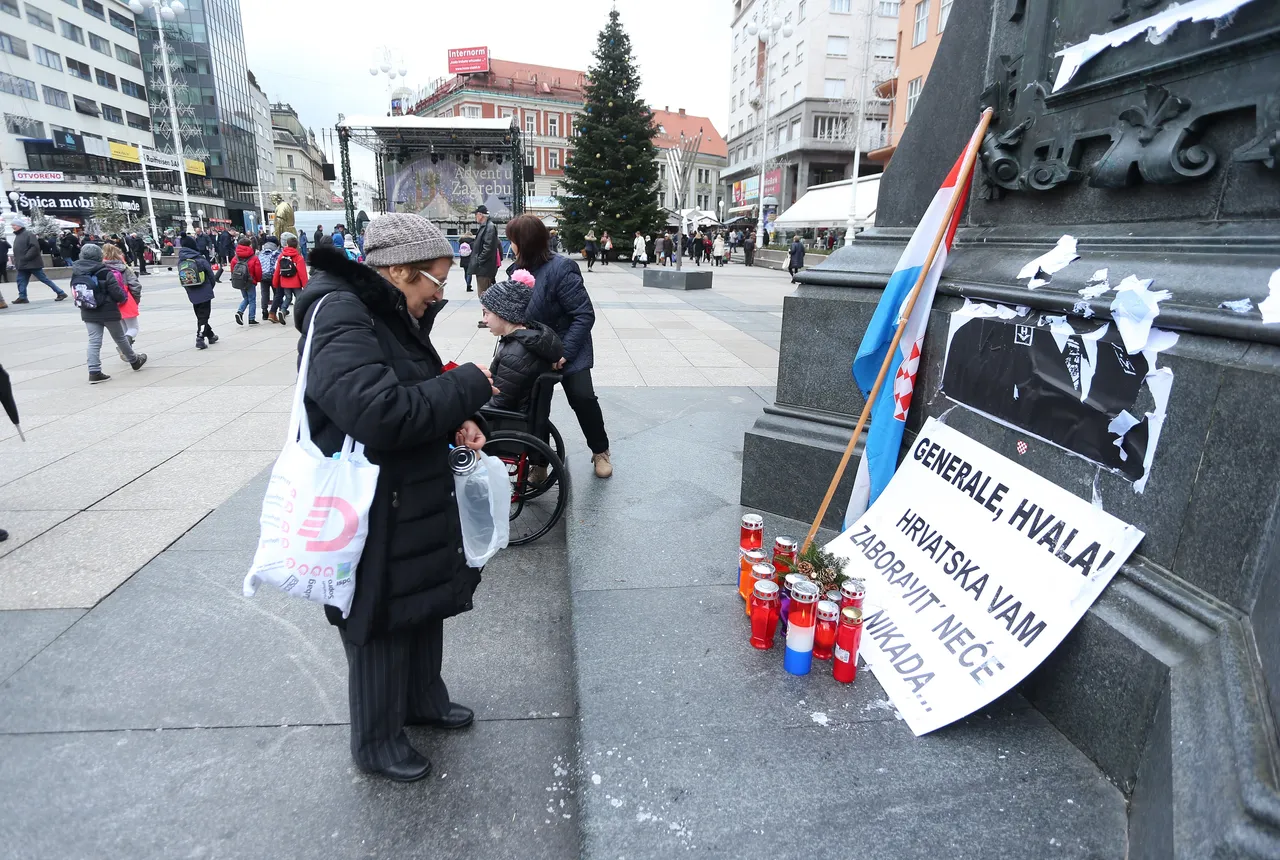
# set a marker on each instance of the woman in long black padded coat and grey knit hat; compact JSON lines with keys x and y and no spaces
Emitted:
{"x":376,"y":377}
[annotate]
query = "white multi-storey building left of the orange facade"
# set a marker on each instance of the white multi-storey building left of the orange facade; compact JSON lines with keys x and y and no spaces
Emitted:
{"x":810,"y":85}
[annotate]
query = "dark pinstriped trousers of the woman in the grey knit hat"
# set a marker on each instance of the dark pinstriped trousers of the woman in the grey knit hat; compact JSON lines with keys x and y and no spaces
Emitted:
{"x":390,"y":681}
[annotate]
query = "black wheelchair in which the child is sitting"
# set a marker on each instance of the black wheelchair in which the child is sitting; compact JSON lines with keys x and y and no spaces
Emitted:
{"x":534,"y":454}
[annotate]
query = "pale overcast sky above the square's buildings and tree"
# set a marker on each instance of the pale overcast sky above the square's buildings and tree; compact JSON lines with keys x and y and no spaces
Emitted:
{"x":317,"y":56}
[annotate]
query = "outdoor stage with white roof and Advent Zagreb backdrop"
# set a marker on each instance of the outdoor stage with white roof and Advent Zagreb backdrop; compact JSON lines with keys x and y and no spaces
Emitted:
{"x":440,"y":167}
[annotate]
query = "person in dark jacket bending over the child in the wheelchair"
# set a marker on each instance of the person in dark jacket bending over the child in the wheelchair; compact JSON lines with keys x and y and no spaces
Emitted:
{"x":561,"y":303}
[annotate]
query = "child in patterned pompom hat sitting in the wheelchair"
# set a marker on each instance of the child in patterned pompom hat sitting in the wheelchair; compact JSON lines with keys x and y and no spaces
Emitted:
{"x":525,"y":349}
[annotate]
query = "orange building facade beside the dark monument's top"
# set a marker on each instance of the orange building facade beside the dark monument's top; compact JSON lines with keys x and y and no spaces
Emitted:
{"x":921,"y":25}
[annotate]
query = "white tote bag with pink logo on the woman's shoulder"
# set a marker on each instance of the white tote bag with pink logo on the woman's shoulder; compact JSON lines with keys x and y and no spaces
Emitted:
{"x":316,"y":516}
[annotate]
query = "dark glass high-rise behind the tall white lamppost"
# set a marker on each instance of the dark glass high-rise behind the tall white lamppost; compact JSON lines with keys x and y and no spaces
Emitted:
{"x":207,"y":43}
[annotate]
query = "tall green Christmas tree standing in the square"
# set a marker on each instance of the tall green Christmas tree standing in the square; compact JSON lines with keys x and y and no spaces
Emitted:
{"x":611,"y":182}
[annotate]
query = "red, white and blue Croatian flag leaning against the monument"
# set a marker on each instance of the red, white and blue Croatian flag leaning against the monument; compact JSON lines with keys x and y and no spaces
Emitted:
{"x":889,"y":414}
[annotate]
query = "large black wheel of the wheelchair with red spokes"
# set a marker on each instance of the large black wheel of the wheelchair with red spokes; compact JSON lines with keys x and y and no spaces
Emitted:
{"x":537,"y":506}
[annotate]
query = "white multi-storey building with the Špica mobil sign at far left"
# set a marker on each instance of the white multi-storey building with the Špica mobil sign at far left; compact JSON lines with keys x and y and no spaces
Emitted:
{"x":75,"y":100}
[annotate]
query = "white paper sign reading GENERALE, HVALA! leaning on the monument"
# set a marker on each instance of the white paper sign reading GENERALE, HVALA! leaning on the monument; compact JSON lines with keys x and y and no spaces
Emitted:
{"x":976,"y":570}
